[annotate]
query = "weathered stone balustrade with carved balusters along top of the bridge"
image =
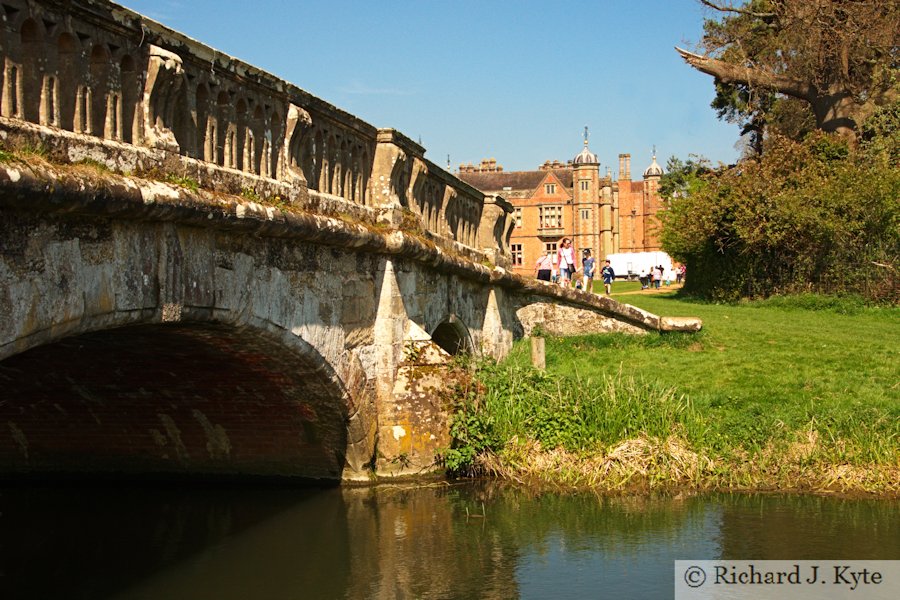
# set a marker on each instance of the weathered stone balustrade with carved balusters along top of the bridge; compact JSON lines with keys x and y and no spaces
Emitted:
{"x":92,"y":80}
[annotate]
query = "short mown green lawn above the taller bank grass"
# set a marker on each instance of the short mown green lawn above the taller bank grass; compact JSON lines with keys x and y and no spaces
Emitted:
{"x":760,"y":369}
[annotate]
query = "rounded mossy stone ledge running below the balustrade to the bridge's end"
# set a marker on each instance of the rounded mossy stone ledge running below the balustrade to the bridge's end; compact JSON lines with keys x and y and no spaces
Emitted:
{"x":37,"y":186}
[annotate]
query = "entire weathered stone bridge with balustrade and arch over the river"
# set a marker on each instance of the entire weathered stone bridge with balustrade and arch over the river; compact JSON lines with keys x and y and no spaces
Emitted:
{"x":207,"y":271}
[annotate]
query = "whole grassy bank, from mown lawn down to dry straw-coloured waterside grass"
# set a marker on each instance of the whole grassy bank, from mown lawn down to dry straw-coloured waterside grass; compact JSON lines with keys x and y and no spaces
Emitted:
{"x":800,"y":393}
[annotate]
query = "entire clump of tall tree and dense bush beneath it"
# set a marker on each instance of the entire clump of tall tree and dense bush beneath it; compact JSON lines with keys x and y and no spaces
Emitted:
{"x":813,"y":211}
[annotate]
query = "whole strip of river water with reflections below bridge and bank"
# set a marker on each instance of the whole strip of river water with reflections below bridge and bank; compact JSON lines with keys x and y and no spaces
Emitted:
{"x":473,"y":540}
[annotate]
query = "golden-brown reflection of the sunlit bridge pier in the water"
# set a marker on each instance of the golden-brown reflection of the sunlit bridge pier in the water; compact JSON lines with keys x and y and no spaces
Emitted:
{"x":419,"y":543}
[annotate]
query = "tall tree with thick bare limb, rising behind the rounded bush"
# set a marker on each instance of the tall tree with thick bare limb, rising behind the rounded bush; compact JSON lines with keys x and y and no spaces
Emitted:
{"x":840,"y":57}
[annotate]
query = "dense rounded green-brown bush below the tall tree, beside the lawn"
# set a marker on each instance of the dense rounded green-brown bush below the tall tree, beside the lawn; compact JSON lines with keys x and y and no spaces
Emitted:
{"x":806,"y":216}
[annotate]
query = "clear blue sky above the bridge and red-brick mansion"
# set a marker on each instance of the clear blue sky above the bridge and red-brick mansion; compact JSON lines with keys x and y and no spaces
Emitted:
{"x":516,"y":81}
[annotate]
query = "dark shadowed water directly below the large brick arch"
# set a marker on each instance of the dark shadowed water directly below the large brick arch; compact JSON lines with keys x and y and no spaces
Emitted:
{"x":62,"y":542}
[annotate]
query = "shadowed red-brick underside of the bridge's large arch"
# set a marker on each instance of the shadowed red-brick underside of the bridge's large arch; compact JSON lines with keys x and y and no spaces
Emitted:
{"x":189,"y":399}
